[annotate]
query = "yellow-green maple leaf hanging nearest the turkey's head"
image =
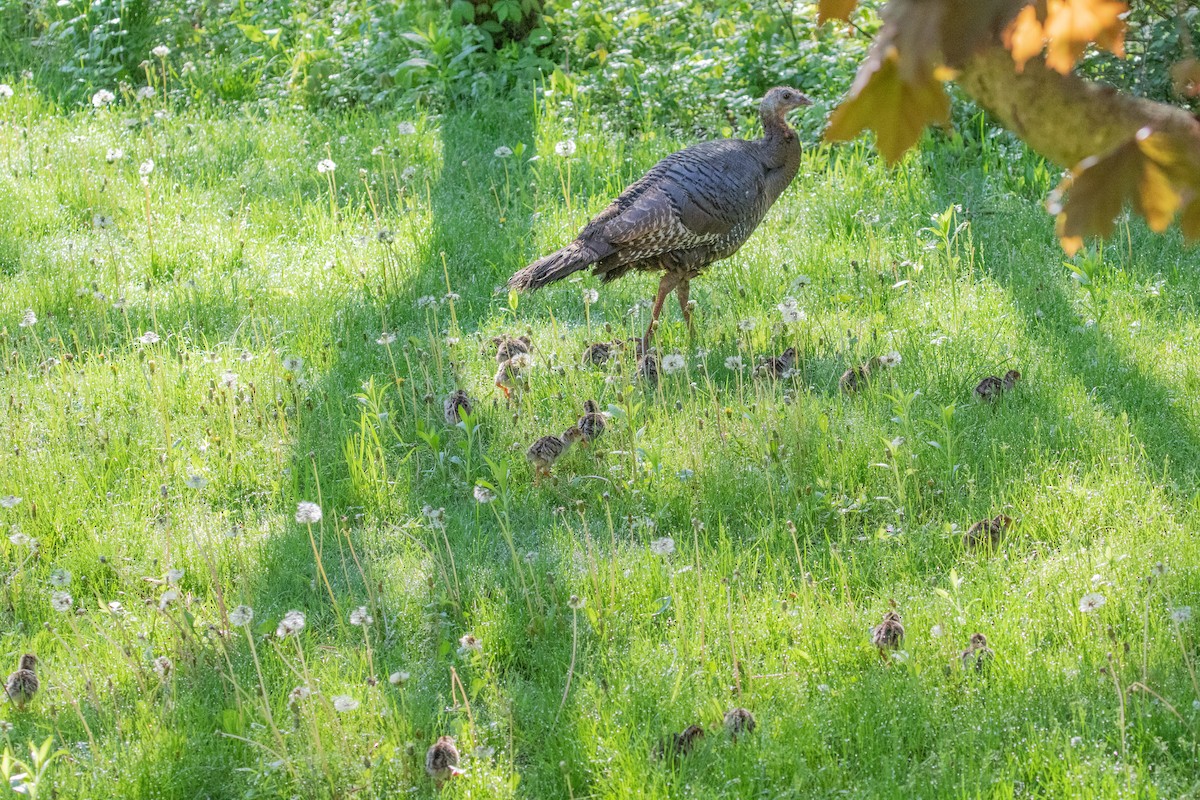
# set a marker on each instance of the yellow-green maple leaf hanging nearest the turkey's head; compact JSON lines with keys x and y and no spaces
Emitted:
{"x":897,"y":110}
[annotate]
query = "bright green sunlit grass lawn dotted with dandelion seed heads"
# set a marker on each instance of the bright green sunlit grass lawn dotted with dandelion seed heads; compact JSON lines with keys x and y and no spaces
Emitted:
{"x":248,"y":263}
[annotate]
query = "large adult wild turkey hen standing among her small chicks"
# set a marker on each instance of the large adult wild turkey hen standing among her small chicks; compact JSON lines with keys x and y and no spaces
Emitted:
{"x":694,"y":208}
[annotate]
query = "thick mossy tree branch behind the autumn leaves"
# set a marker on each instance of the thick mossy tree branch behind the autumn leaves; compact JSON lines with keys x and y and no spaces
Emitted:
{"x":1064,"y":117}
